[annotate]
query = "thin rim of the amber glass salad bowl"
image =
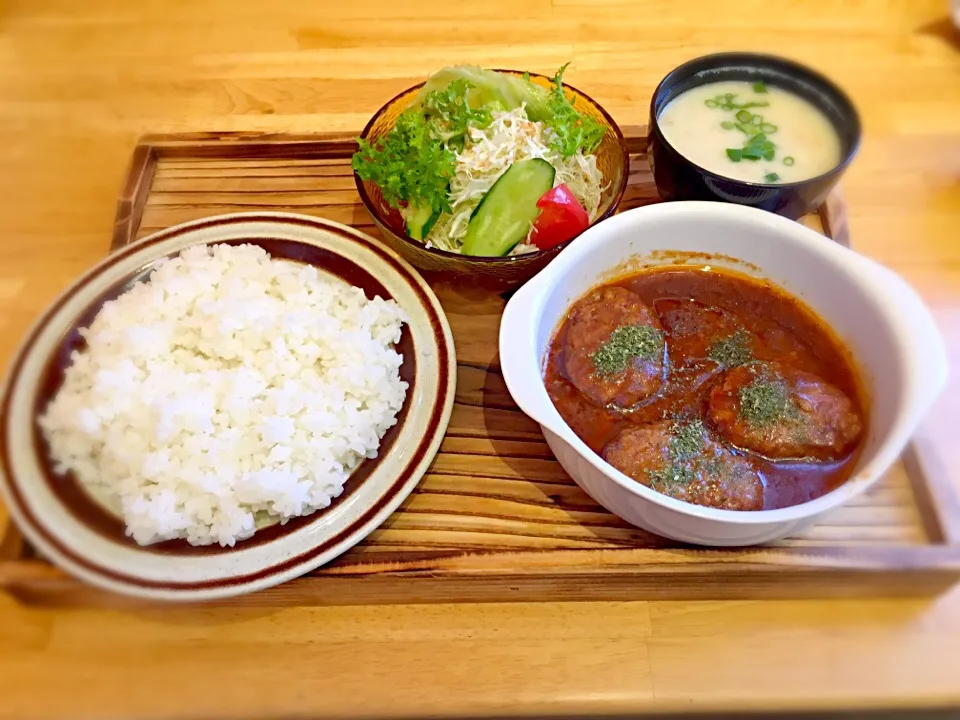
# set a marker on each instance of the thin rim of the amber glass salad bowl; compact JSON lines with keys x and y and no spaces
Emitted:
{"x":509,"y":259}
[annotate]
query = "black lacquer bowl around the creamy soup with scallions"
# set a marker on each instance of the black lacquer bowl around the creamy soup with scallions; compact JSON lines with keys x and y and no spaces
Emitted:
{"x":678,"y":178}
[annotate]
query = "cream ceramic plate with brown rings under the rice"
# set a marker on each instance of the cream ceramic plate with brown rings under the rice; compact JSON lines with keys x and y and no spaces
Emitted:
{"x":75,"y":530}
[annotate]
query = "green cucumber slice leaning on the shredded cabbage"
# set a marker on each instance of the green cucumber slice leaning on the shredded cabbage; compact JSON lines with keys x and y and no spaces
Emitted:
{"x":503,"y":217}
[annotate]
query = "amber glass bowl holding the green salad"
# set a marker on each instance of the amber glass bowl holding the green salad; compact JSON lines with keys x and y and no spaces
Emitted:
{"x":505,"y":272}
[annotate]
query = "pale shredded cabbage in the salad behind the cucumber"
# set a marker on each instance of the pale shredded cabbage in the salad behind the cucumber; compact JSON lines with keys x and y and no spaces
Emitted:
{"x":487,"y":154}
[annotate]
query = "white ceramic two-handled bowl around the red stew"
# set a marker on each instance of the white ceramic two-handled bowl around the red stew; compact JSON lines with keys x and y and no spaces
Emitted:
{"x":881,"y":319}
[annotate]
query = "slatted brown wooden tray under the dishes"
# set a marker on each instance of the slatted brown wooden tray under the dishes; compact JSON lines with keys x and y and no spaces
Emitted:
{"x":496,"y":518}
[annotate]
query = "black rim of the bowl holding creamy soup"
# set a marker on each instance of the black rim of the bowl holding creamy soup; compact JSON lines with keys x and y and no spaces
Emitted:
{"x":723,"y":59}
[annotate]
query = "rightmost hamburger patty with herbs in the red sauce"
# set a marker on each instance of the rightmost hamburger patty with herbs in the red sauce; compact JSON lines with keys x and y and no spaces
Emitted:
{"x":781,"y":412}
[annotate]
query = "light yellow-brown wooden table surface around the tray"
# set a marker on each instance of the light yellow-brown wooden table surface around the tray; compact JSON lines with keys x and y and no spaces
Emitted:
{"x":79,"y":82}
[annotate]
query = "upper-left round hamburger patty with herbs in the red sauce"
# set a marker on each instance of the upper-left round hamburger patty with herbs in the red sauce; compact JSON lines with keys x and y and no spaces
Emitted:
{"x":614,"y":348}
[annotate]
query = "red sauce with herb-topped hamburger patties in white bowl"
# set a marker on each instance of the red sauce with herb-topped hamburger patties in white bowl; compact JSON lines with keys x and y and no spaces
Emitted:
{"x":709,"y":386}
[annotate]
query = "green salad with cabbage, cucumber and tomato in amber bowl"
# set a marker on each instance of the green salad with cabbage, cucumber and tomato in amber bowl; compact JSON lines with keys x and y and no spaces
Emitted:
{"x":488,"y":164}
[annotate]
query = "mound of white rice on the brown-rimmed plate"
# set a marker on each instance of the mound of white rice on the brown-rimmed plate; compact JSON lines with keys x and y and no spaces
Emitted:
{"x":227,"y":386}
